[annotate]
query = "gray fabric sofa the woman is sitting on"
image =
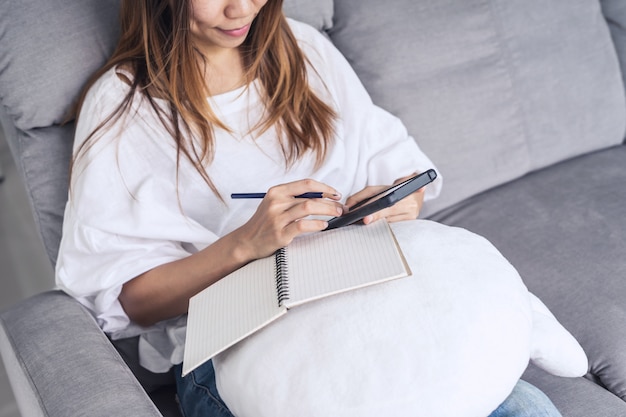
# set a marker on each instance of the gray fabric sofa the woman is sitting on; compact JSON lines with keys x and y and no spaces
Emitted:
{"x":520,"y":103}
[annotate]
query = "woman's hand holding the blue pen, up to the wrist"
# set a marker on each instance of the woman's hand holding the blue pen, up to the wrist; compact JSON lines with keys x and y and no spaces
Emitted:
{"x":281,"y":217}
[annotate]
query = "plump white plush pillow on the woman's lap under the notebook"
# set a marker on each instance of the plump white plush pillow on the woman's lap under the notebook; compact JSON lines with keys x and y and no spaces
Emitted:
{"x":451,"y":340}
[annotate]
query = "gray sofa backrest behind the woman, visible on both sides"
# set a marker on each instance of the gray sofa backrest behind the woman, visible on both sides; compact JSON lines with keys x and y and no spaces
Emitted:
{"x":491,"y":89}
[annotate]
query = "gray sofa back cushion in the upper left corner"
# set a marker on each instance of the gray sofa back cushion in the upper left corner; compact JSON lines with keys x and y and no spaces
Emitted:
{"x":44,"y":62}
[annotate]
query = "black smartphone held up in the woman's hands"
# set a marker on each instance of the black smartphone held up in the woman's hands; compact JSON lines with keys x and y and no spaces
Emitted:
{"x":384,"y":199}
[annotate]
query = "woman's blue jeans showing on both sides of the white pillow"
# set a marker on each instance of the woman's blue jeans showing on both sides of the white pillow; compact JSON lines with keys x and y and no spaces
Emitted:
{"x":198,"y":397}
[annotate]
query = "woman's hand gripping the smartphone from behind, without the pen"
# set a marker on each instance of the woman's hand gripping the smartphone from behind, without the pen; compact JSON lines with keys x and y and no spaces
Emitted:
{"x":405,"y":209}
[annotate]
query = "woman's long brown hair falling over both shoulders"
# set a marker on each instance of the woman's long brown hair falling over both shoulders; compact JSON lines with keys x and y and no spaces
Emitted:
{"x":156,"y":47}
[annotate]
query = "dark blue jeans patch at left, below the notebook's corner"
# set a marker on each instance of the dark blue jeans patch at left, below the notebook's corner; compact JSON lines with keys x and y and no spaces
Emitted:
{"x":197,"y":393}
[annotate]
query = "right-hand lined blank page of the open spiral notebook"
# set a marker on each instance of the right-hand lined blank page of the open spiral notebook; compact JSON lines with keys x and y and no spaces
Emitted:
{"x":342,"y":259}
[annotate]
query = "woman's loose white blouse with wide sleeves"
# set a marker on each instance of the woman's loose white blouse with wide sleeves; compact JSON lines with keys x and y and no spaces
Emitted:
{"x":128,"y":212}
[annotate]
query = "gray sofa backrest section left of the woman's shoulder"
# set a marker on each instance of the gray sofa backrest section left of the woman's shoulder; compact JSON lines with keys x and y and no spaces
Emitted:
{"x":44,"y":62}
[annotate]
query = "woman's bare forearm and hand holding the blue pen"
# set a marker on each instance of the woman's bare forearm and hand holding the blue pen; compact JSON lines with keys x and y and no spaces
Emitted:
{"x":164,"y":291}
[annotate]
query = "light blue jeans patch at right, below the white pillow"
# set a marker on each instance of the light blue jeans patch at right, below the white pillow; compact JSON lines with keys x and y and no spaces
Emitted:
{"x":526,"y":401}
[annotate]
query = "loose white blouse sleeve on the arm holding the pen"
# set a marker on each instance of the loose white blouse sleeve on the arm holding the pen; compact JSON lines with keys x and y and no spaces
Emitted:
{"x":122,"y":217}
